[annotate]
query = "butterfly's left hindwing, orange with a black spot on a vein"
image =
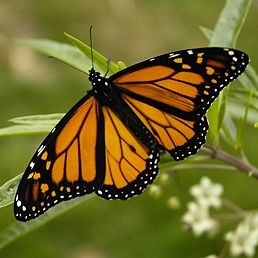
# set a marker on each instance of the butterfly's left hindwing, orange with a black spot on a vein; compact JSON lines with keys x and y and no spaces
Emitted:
{"x":130,"y":165}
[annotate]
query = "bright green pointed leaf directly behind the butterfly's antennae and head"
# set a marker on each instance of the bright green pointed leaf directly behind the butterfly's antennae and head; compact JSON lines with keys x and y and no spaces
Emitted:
{"x":100,"y":62}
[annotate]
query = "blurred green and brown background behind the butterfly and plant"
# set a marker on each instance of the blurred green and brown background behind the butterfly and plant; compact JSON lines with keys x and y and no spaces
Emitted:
{"x":30,"y":83}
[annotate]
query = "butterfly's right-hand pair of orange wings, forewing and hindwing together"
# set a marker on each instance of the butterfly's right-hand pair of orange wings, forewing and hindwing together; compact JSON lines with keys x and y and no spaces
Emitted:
{"x":171,"y":93}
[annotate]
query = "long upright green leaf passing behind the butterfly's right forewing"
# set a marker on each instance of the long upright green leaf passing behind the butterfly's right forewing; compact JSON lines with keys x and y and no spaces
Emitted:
{"x":225,"y":34}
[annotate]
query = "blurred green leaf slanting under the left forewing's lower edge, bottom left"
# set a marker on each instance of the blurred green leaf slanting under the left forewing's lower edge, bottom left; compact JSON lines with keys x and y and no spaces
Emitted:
{"x":18,"y":229}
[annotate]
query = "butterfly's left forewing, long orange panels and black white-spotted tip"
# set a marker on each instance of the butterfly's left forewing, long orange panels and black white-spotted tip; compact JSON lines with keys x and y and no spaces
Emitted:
{"x":70,"y":162}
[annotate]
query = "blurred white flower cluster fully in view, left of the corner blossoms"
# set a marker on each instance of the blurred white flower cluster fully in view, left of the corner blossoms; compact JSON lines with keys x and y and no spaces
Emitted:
{"x":197,"y":218}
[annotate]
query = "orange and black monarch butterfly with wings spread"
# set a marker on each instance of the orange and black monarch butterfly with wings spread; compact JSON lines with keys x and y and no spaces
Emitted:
{"x":109,"y":143}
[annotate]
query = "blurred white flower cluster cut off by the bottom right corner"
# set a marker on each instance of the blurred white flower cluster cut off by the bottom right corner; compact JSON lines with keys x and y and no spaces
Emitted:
{"x":244,"y":239}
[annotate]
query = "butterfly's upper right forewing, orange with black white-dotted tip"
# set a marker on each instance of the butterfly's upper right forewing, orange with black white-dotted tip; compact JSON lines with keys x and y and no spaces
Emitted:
{"x":183,"y":83}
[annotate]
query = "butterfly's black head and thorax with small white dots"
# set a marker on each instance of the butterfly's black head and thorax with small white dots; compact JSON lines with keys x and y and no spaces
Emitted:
{"x":101,"y":87}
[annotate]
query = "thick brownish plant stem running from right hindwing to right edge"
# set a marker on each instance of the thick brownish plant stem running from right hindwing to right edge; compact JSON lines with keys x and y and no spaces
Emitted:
{"x":241,"y":164}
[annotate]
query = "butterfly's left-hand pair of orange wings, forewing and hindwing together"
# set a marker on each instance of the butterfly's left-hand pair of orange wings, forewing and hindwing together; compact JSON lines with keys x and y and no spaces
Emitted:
{"x":90,"y":150}
